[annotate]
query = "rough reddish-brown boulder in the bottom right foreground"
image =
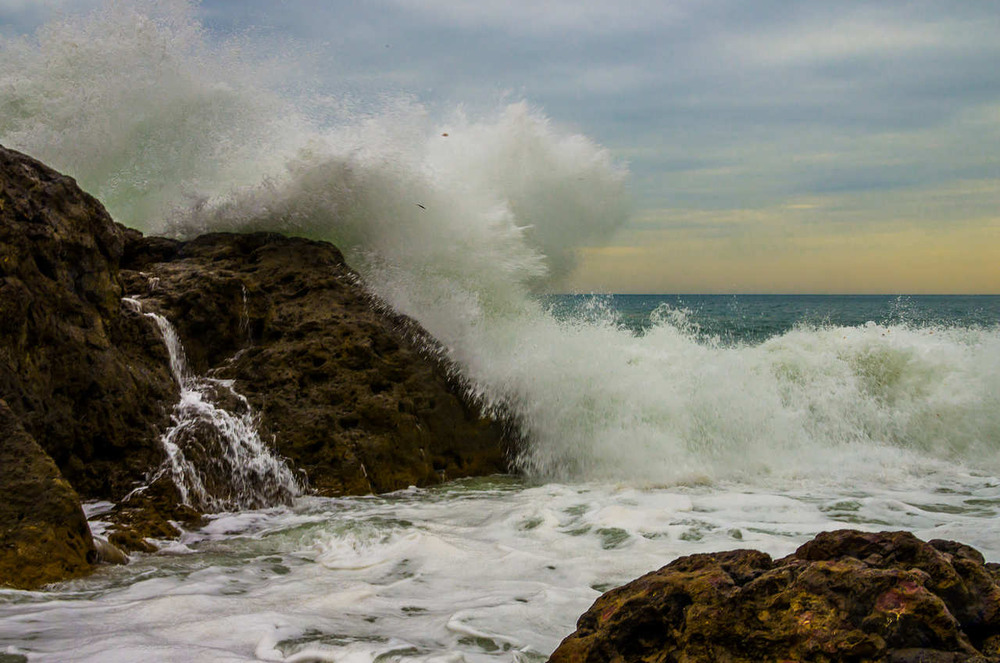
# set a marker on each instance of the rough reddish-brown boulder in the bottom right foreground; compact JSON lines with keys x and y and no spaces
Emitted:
{"x":844,"y":596}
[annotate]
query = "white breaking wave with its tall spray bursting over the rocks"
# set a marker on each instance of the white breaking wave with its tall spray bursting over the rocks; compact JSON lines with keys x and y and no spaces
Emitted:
{"x":459,"y":221}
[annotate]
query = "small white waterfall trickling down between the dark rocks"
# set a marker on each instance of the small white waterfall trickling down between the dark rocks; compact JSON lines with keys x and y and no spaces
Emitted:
{"x":215,"y":455}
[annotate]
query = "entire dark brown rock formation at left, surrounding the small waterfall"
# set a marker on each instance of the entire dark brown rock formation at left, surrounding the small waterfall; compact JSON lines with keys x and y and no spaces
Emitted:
{"x":353,"y":395}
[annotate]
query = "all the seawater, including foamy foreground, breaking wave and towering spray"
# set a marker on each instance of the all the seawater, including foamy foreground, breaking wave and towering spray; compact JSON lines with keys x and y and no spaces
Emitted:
{"x":653,"y":426}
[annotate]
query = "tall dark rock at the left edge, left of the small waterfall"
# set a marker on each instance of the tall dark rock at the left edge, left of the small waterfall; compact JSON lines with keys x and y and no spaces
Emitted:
{"x":87,"y":378}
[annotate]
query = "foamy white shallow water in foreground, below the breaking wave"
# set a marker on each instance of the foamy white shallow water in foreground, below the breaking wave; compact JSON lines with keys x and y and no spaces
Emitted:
{"x":486,"y":570}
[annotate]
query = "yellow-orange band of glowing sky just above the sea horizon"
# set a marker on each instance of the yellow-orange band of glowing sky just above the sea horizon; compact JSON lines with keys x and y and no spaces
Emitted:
{"x":760,"y":252}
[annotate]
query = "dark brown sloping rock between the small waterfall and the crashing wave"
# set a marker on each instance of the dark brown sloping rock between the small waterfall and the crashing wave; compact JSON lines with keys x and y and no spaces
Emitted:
{"x":351,"y":393}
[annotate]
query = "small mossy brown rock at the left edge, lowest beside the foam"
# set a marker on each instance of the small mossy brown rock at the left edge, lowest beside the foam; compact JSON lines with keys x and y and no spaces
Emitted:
{"x":44,"y":535}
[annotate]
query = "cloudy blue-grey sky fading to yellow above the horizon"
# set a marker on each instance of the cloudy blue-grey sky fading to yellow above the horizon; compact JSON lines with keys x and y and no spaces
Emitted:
{"x":808,"y":146}
